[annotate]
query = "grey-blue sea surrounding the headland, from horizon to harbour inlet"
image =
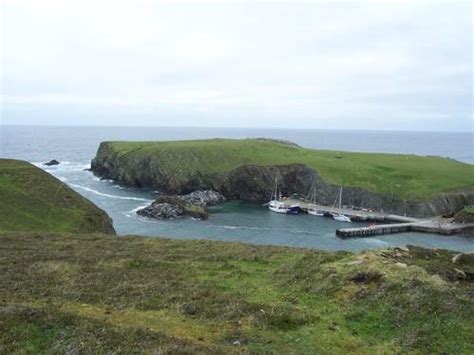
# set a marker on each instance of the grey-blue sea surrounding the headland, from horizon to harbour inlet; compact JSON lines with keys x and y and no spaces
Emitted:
{"x":74,"y":147}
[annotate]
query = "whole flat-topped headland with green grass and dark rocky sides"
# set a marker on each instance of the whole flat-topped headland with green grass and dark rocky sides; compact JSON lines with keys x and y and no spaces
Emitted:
{"x":246,"y":169}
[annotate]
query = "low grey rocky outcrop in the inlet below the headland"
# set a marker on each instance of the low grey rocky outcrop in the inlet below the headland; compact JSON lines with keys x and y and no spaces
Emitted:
{"x":192,"y":205}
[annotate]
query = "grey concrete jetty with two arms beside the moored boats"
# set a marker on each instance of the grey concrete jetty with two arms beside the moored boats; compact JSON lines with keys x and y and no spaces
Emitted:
{"x":391,"y":223}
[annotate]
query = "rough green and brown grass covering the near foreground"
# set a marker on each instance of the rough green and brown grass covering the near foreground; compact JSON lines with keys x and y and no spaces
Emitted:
{"x":130,"y":294}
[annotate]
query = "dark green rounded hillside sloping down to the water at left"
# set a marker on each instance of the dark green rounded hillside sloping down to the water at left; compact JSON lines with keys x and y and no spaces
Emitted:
{"x":33,"y":200}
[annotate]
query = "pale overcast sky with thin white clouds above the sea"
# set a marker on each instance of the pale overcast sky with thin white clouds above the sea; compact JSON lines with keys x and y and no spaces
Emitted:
{"x":404,"y":65}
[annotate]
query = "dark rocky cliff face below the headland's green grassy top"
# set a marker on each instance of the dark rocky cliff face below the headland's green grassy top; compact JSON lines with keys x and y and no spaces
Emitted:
{"x":255,"y":183}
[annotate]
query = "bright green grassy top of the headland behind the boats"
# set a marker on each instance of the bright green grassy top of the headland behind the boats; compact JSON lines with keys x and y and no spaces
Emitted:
{"x":407,"y":176}
